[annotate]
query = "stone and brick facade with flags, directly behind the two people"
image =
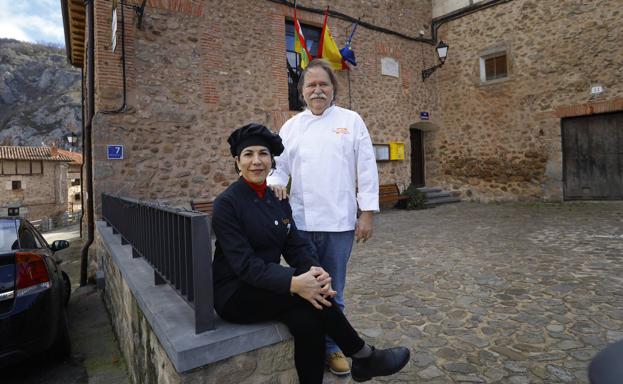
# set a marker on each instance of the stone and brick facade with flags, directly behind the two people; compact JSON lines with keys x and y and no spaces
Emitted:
{"x":198,"y":70}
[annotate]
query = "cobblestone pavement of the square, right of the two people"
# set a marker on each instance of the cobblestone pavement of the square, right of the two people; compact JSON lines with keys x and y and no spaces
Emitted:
{"x":496,"y":293}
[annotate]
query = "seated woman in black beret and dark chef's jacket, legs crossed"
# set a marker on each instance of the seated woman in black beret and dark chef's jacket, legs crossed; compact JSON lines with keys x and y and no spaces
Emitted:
{"x":253,"y":229}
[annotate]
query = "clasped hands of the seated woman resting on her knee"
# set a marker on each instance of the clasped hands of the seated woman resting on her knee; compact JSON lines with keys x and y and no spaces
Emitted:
{"x":314,"y":286}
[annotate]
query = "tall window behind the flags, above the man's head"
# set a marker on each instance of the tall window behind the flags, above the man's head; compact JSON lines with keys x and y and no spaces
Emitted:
{"x":312,"y":35}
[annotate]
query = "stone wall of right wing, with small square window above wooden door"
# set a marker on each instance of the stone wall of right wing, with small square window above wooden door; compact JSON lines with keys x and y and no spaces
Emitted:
{"x":501,"y":141}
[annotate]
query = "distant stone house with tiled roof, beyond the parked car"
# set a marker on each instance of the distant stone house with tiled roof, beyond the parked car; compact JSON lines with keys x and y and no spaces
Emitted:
{"x":34,"y":182}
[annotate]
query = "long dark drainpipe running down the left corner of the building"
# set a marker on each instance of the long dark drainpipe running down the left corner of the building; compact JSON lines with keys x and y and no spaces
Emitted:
{"x":88,"y":155}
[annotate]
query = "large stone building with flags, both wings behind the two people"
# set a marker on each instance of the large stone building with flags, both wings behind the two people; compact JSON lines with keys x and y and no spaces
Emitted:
{"x":515,"y":72}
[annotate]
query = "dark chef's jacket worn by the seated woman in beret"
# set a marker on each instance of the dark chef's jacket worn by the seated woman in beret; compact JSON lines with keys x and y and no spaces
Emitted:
{"x":252,"y":234}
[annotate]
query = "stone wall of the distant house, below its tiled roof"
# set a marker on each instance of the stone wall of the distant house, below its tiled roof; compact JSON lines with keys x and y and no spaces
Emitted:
{"x":42,"y":195}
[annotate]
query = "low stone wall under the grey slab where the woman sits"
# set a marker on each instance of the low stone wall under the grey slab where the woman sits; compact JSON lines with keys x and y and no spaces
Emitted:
{"x":147,"y":359}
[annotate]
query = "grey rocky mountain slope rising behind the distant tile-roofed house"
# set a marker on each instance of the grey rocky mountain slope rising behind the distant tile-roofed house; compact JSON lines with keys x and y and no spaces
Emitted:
{"x":39,"y":95}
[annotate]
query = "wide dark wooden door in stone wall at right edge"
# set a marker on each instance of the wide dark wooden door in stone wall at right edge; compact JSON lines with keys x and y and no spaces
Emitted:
{"x":593,"y":157}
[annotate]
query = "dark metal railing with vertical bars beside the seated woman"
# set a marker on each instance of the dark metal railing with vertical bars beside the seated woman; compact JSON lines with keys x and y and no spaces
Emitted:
{"x":175,"y":242}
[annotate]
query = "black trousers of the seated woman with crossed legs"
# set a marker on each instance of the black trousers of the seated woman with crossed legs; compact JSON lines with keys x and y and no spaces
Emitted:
{"x":307,"y":325}
